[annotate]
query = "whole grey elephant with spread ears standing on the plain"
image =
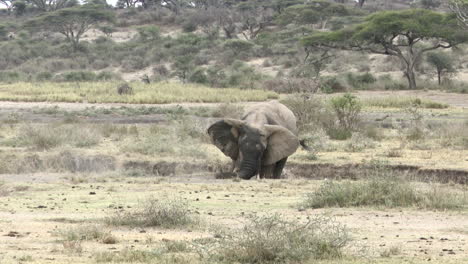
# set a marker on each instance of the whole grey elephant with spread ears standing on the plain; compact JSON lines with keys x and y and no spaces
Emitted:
{"x":260,"y":142}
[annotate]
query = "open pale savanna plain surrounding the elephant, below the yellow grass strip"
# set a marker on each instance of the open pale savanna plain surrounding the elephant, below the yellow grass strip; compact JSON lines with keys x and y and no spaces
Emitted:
{"x":128,"y":183}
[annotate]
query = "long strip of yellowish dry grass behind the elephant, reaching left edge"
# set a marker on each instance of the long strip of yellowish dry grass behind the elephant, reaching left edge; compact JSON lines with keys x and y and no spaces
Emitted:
{"x":106,"y":92}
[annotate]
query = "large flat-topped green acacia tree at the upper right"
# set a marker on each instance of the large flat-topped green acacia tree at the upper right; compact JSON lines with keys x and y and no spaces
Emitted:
{"x":404,"y":34}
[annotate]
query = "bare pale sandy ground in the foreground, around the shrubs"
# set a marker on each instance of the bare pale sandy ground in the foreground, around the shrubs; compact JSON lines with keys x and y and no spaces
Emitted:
{"x":32,"y":219}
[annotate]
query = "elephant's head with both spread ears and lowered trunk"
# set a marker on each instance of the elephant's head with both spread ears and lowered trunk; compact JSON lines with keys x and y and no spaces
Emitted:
{"x":252,"y":146}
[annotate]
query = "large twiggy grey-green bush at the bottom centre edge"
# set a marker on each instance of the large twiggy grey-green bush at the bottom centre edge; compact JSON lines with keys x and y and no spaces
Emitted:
{"x":272,"y":239}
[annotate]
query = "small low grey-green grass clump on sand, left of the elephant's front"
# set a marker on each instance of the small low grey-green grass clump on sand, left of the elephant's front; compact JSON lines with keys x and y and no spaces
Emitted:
{"x":165,"y":213}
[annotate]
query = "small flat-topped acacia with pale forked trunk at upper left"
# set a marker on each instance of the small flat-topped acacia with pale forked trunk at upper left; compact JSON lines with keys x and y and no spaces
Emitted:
{"x":72,"y":22}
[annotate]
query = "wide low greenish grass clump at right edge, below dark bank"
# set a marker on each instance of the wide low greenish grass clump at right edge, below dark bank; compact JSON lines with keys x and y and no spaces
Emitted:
{"x":385,"y":192}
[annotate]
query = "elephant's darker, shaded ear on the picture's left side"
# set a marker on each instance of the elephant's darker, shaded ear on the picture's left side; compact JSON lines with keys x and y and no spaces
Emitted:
{"x":224,"y":135}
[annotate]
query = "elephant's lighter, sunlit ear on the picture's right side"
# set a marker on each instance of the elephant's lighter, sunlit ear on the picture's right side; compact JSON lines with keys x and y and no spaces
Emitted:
{"x":280,"y":144}
